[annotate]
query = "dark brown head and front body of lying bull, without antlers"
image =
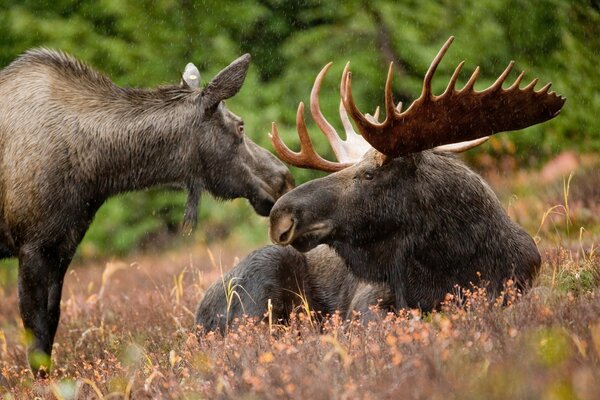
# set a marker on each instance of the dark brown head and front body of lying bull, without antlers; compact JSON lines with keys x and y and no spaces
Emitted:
{"x":420,"y":224}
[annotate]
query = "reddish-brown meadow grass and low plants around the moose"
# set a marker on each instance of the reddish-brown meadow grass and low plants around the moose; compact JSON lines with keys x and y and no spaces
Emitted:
{"x":127,"y":331}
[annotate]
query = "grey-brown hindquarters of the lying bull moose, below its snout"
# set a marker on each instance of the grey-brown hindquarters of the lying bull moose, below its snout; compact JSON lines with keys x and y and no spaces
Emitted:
{"x":287,"y":277}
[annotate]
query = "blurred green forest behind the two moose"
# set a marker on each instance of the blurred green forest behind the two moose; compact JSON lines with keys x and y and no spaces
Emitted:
{"x":146,"y":43}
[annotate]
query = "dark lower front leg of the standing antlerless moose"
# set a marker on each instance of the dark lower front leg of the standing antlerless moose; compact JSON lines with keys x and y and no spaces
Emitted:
{"x":34,"y":274}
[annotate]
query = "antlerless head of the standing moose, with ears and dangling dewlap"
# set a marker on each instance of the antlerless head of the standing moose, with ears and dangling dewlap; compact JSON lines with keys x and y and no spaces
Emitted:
{"x":229,"y":163}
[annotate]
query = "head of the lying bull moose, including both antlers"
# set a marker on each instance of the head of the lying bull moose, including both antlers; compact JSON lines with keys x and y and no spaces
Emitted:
{"x":386,"y":176}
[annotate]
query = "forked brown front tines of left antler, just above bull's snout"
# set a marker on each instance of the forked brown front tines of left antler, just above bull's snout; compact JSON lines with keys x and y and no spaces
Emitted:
{"x":307,"y":157}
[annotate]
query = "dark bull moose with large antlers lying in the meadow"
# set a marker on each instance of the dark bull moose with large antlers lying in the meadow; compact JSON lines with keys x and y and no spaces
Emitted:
{"x":401,"y":210}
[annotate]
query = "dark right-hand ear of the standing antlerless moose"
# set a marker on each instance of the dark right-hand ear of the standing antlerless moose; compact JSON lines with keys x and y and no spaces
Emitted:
{"x":227,"y":82}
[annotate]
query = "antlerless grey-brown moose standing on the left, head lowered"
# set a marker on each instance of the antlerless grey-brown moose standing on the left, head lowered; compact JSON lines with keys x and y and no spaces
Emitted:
{"x":70,"y":139}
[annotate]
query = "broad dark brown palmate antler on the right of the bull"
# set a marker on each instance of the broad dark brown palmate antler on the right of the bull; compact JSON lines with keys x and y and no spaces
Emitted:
{"x":454,"y":116}
